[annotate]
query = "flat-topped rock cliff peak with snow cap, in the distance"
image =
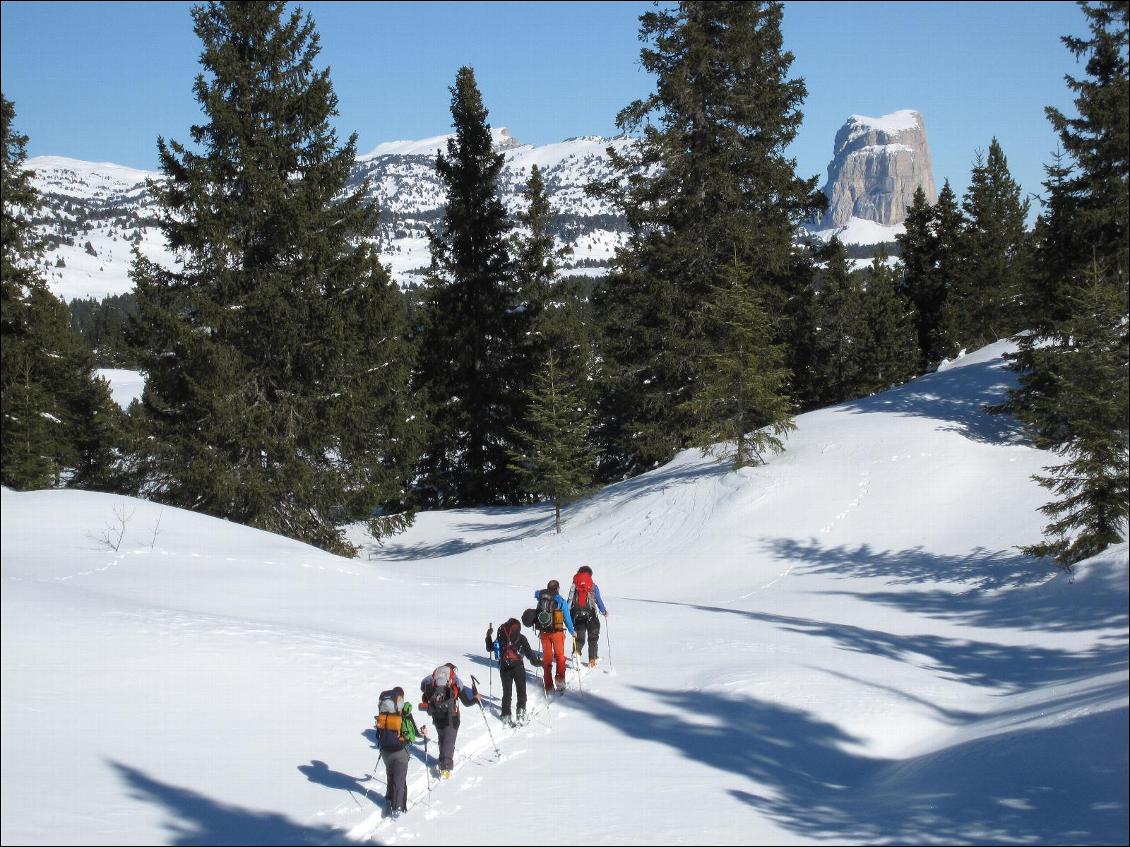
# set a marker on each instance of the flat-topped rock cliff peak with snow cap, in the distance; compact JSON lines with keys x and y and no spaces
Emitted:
{"x":880,"y":162}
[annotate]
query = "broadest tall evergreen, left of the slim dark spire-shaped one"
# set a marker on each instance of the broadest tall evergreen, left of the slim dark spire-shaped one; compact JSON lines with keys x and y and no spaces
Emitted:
{"x":277,"y":390}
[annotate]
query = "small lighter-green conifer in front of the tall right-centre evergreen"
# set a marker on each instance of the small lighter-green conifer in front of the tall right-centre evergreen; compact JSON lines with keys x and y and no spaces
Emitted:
{"x":742,"y":409}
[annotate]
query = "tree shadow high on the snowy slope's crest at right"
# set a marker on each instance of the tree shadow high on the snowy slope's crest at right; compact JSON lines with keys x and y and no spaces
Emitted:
{"x":957,"y":397}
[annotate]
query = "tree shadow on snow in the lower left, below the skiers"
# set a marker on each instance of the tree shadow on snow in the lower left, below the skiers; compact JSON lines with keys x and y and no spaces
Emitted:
{"x":196,"y":819}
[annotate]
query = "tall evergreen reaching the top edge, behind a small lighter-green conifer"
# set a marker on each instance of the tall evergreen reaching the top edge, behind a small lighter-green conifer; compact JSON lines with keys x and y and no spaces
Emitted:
{"x":707,"y":186}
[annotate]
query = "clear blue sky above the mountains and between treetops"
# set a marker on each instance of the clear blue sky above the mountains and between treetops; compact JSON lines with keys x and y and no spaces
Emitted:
{"x":101,"y":81}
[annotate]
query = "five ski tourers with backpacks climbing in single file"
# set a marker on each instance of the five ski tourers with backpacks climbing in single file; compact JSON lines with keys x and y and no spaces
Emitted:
{"x":442,"y":692}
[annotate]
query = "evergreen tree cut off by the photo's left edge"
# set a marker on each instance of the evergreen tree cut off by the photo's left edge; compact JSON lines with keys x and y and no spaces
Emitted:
{"x":59,"y":420}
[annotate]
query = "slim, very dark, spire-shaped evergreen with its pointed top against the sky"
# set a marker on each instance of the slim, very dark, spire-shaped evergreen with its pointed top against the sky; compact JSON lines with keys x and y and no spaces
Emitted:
{"x":471,"y":340}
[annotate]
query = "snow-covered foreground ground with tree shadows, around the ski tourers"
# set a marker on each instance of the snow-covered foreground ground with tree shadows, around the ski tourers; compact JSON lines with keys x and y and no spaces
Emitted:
{"x":840,"y":647}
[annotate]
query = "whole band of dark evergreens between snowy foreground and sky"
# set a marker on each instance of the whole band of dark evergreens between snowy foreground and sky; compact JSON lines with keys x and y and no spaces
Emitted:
{"x":294,"y":388}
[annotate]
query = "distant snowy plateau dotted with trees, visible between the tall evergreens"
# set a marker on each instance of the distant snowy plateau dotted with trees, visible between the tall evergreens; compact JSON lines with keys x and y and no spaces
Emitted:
{"x":109,"y":208}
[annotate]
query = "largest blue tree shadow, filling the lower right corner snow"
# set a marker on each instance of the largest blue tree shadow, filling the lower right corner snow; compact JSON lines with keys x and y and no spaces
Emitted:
{"x":987,"y":791}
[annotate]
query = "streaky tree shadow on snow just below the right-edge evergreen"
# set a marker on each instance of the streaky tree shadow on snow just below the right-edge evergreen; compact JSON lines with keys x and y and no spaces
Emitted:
{"x":1006,"y":589}
